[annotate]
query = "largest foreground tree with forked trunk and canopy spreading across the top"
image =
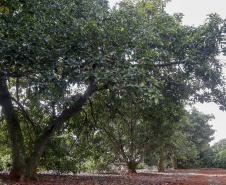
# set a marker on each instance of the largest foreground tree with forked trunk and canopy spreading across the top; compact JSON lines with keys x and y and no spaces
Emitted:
{"x":57,"y":54}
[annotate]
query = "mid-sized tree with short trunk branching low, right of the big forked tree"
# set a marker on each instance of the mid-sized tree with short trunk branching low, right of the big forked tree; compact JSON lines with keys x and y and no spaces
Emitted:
{"x":133,"y":128}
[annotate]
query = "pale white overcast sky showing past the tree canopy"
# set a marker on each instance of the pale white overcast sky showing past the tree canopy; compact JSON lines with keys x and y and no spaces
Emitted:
{"x":195,"y":13}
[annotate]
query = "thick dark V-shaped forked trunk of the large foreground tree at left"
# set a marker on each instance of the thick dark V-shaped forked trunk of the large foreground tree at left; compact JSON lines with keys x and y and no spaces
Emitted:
{"x":22,"y":166}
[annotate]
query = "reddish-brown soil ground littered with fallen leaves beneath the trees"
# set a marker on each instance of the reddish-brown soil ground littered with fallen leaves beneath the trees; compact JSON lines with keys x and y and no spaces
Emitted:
{"x":204,"y":176}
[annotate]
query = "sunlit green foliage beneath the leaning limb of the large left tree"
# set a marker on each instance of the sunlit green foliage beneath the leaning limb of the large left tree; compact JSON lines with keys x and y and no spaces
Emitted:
{"x":77,"y":148}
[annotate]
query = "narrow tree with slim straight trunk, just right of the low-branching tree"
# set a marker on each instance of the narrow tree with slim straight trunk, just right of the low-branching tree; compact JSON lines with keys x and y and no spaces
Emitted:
{"x":167,"y":114}
